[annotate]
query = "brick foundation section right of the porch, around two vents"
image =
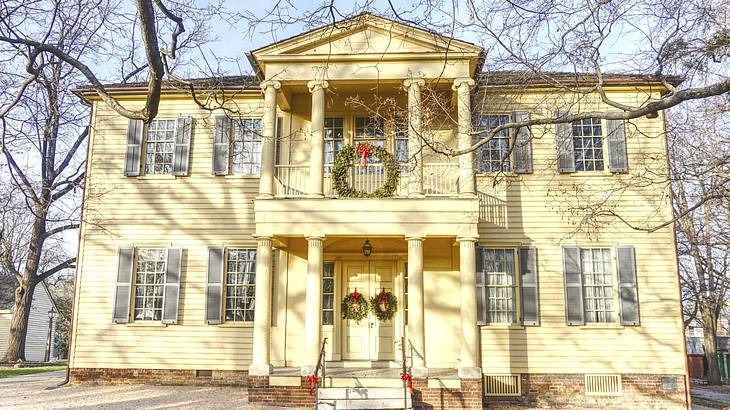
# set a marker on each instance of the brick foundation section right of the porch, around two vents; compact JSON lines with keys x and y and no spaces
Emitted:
{"x":641,"y":391}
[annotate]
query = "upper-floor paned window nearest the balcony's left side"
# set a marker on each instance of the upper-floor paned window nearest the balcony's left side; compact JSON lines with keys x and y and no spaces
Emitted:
{"x":247,"y":146}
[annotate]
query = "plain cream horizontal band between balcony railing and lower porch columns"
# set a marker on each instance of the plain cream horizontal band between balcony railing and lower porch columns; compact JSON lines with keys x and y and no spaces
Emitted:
{"x":373,"y":217}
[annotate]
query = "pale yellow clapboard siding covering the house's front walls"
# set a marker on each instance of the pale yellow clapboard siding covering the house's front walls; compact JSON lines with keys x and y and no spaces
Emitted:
{"x":203,"y":210}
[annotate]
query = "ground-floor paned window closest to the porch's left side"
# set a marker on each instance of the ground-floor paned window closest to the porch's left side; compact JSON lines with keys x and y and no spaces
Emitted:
{"x":240,"y":284}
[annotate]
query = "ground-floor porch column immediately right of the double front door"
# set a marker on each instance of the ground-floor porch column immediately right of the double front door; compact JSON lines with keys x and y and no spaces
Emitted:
{"x":416,"y":330}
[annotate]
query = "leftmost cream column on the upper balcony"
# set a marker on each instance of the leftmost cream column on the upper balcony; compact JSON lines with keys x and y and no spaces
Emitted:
{"x":268,"y":139}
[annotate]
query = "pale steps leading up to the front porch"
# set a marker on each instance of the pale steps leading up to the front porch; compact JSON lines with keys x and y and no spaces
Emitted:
{"x":363,"y":398}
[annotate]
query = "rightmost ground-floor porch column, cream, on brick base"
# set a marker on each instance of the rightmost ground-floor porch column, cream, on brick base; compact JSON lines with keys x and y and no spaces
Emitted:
{"x":469,"y":357}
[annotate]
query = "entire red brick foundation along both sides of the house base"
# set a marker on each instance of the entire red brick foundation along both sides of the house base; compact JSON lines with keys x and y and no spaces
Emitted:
{"x":566,"y":391}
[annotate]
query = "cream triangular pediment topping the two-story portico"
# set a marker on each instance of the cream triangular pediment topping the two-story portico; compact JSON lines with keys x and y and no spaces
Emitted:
{"x":366,"y":34}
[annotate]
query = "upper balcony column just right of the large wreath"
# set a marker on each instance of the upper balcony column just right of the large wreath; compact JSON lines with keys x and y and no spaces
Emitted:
{"x":415,"y":179}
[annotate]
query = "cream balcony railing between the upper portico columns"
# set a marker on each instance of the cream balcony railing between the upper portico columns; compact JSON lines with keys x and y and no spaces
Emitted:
{"x":439,"y":179}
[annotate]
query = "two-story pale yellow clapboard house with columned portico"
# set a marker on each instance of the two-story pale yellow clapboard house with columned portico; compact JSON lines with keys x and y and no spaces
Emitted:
{"x":220,"y":240}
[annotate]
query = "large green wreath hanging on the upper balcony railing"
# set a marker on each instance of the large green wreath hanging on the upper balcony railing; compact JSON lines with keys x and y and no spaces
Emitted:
{"x":344,"y":160}
